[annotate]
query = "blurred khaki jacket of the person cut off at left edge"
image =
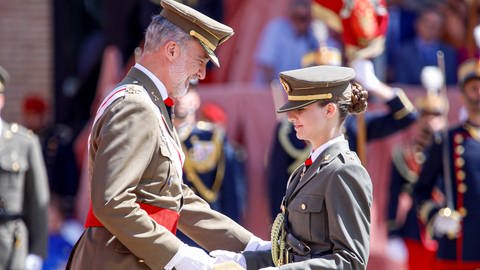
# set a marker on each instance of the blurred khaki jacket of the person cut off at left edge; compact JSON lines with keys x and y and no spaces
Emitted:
{"x":24,"y":197}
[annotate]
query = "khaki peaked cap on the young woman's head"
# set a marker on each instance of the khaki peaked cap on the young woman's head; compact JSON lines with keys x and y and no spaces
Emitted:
{"x":307,"y":85}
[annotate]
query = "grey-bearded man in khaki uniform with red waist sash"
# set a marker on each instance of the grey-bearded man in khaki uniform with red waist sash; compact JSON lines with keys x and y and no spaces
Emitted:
{"x":138,"y":198}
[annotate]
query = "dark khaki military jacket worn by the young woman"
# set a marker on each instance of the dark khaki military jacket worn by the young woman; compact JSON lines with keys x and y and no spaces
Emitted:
{"x":328,"y":208}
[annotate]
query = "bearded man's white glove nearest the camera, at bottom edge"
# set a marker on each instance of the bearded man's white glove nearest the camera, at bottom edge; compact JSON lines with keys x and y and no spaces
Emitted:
{"x":188,"y":258}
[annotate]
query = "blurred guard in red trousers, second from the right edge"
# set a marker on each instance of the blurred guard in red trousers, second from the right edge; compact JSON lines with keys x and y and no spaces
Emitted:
{"x":407,"y":160}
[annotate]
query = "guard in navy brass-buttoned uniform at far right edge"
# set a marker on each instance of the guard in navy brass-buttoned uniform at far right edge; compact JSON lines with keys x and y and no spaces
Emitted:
{"x":453,"y":165}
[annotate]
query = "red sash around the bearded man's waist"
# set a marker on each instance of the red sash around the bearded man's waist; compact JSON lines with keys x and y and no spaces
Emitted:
{"x":165,"y":217}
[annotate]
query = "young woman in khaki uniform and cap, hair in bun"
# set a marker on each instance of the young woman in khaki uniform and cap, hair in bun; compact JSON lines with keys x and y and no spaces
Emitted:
{"x":325,"y":219}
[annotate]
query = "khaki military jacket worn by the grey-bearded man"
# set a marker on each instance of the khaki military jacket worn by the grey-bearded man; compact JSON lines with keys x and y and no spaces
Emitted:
{"x":131,"y":161}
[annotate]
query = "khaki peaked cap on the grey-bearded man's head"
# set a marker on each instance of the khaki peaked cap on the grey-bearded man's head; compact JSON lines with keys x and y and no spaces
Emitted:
{"x":209,"y":32}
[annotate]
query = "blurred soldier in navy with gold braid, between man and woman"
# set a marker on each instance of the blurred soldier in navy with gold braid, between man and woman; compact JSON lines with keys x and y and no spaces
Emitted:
{"x":211,"y":168}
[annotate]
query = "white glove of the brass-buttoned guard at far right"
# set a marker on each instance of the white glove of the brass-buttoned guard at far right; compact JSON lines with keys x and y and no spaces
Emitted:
{"x":446,"y":222}
